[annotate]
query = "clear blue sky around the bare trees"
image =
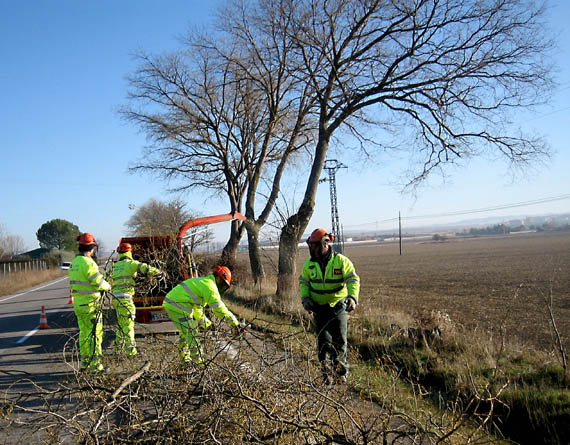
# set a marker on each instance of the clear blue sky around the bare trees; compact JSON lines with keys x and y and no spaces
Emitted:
{"x":65,"y":151}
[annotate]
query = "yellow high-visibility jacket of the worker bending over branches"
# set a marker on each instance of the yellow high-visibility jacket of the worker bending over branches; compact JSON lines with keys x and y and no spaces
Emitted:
{"x":194,"y":294}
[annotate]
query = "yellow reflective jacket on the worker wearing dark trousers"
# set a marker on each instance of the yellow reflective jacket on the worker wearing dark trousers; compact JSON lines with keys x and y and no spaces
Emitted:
{"x":339,"y":281}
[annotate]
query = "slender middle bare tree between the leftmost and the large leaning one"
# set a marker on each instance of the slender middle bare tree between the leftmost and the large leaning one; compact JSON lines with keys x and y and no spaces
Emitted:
{"x":264,"y":59}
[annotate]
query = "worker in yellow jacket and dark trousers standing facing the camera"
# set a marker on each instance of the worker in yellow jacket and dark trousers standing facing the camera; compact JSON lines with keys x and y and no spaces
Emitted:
{"x":329,"y":288}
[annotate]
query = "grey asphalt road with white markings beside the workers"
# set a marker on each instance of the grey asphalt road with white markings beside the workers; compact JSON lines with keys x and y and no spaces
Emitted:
{"x":36,"y":363}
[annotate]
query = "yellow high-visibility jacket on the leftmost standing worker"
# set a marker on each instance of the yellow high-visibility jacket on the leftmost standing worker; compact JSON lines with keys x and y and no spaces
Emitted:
{"x":85,"y":280}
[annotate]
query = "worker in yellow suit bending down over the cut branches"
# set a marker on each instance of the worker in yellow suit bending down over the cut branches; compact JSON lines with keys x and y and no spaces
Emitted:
{"x":185,"y":307}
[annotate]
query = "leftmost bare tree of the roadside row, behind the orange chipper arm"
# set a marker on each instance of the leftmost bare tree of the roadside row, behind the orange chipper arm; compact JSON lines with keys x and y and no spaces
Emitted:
{"x":189,"y":109}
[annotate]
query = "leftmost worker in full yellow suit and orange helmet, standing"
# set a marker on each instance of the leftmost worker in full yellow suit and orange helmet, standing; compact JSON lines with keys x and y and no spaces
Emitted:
{"x":86,"y":284}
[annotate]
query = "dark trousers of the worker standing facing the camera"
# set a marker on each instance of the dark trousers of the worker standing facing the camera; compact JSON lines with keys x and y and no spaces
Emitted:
{"x":331,"y":325}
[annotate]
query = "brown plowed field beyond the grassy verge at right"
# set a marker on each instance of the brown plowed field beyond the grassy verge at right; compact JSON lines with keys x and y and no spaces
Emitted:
{"x":482,"y":283}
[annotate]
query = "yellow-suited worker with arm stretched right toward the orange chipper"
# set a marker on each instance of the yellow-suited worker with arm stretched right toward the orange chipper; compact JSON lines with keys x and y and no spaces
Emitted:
{"x":125,"y":270}
